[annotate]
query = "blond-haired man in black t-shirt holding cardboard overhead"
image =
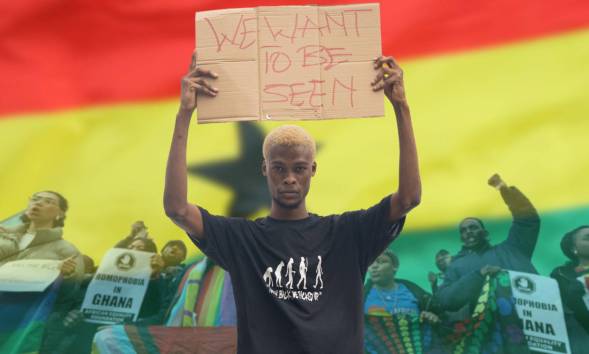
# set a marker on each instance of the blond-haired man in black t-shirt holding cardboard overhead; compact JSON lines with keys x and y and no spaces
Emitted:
{"x":269,"y":259}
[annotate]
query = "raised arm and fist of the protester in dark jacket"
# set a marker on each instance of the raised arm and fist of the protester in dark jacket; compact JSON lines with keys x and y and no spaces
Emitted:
{"x":525,"y":228}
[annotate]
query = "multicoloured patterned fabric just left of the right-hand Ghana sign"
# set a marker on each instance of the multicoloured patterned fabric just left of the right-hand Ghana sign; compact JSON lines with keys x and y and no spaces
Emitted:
{"x":494,"y":326}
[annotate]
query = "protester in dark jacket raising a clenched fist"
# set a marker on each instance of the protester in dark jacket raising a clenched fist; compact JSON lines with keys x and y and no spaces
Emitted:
{"x":466,"y":273}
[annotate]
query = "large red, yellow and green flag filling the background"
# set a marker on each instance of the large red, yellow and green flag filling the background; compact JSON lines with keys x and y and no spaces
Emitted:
{"x":89,"y":94}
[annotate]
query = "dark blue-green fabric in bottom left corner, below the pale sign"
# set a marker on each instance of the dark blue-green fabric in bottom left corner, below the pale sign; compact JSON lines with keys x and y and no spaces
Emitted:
{"x":23,"y":316}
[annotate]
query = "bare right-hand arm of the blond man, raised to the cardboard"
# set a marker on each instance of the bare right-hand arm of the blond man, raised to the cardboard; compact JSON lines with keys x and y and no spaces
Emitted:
{"x":408,"y":195}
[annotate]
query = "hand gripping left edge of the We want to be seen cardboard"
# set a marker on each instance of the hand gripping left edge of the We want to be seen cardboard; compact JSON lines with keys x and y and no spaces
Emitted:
{"x":194,"y":83}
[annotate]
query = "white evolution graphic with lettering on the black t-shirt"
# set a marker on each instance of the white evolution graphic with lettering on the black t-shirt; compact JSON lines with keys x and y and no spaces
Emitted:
{"x":281,"y":281}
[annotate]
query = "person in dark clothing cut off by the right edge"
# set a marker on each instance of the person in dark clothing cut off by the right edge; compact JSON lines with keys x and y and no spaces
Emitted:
{"x":575,"y":245}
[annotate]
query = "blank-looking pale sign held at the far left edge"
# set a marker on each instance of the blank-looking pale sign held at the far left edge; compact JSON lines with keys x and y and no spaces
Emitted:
{"x":28,"y":275}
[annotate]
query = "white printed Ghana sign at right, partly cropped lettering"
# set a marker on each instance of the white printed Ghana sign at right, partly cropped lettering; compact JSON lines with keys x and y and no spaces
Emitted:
{"x":538,"y":304}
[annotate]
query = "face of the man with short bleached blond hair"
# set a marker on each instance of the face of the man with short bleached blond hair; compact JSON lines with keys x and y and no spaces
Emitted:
{"x":288,"y":171}
